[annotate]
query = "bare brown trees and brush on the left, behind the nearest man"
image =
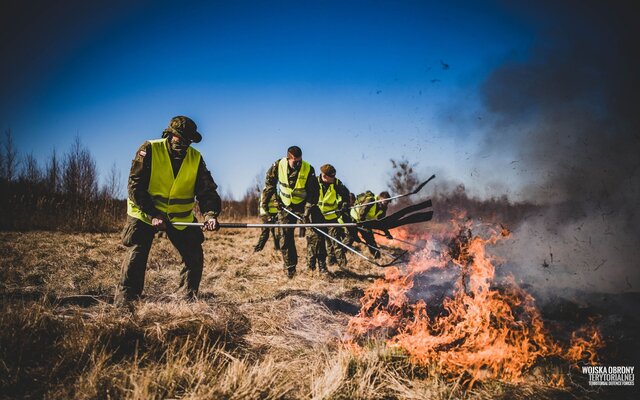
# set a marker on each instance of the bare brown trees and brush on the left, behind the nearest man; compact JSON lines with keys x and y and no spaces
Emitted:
{"x":63,"y":192}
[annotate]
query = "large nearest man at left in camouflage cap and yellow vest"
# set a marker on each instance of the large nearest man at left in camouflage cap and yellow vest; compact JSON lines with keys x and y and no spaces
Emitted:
{"x":167,"y":177}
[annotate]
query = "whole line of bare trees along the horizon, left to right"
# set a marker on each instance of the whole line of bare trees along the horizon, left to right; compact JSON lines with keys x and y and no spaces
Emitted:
{"x":64,"y":194}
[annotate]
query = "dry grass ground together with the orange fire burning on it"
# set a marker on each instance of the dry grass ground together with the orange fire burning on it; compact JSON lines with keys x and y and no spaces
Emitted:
{"x":256,"y":334}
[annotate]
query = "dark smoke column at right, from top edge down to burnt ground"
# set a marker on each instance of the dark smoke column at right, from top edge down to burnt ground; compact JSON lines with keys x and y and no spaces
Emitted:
{"x":571,"y":112}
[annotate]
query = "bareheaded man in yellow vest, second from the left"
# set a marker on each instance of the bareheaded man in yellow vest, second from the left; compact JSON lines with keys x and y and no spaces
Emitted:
{"x":295,"y":186}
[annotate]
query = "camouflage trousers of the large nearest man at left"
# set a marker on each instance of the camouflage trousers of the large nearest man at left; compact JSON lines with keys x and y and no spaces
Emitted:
{"x":139,"y":236}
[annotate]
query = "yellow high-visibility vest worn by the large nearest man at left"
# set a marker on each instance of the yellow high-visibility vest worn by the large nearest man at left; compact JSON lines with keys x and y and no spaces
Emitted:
{"x":173,"y":196}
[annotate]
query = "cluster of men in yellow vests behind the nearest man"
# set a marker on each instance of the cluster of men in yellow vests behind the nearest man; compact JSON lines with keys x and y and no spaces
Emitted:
{"x":293,"y":192}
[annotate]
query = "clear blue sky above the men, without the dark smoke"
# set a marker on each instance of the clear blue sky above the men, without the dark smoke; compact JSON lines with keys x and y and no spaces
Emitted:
{"x":352,"y":83}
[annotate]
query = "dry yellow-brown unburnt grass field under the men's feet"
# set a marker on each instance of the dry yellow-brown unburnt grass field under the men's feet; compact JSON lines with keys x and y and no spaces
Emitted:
{"x":253,"y":334}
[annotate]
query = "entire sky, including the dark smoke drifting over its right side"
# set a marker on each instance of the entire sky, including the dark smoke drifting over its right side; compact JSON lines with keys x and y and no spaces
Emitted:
{"x":538,"y":100}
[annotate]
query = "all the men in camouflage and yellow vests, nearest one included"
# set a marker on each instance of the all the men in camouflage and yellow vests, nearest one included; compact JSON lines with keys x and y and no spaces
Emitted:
{"x":168,"y":175}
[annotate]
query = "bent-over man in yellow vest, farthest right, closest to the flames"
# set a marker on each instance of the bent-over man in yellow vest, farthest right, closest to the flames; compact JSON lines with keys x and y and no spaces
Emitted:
{"x":368,"y":213}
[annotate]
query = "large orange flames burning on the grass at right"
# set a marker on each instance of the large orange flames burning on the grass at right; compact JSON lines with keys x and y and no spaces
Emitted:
{"x":480,"y":330}
